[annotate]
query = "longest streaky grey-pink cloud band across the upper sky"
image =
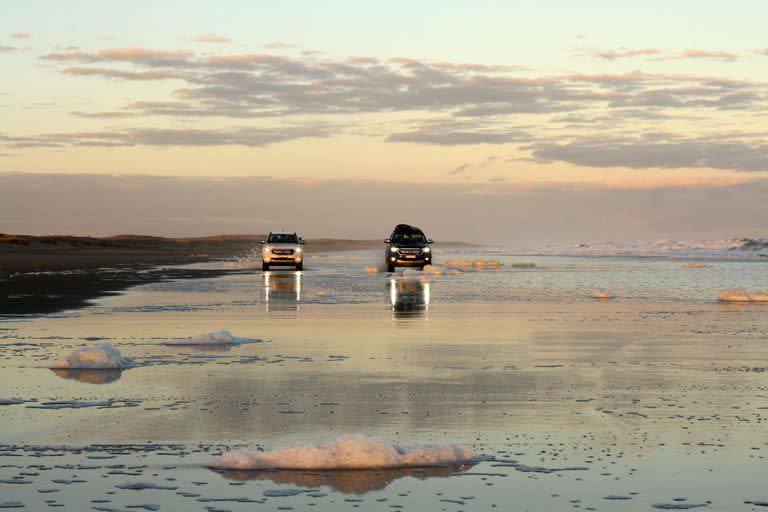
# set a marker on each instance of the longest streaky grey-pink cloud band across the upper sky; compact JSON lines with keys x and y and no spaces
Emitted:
{"x":266,"y":84}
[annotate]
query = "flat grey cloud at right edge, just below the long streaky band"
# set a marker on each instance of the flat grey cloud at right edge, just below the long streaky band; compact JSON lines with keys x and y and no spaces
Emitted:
{"x":661,"y":151}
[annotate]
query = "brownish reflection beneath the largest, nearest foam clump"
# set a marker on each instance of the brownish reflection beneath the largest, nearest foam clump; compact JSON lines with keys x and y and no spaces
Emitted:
{"x":348,"y":481}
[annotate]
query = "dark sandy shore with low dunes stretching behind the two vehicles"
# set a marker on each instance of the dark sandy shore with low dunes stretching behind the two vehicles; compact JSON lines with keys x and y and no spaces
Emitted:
{"x":50,"y":274}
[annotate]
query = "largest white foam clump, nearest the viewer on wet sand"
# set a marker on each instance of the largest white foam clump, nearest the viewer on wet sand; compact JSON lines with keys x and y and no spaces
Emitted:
{"x":349,"y":451}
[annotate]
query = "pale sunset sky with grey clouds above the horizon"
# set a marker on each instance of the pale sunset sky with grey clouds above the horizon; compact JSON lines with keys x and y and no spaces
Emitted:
{"x":500,"y":122}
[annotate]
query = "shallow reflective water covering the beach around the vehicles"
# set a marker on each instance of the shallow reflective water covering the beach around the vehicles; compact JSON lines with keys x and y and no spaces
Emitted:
{"x":656,"y":397}
